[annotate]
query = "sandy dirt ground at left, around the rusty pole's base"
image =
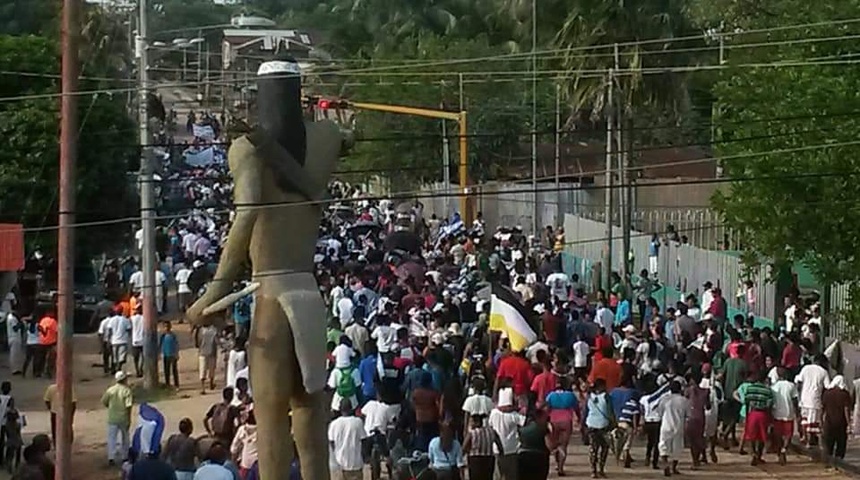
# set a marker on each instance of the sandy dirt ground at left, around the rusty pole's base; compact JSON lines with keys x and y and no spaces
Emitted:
{"x":90,"y":454}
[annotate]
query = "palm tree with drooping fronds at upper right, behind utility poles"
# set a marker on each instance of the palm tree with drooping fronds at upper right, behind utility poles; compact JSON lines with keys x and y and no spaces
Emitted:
{"x":642,"y":31}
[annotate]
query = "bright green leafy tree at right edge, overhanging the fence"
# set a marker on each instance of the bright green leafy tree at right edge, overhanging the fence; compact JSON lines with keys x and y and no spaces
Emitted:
{"x":792,"y":130}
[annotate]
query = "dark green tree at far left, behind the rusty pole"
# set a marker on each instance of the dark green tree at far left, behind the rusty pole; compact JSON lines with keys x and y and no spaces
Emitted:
{"x":29,"y":159}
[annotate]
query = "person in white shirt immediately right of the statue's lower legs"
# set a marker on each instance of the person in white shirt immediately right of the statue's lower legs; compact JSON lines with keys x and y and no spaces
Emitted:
{"x":345,"y":436}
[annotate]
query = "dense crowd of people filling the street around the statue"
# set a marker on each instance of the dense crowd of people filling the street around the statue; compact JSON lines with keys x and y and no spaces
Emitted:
{"x":422,"y":387}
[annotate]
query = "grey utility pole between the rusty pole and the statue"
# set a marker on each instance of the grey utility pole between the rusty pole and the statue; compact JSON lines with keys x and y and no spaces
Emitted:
{"x":147,"y":210}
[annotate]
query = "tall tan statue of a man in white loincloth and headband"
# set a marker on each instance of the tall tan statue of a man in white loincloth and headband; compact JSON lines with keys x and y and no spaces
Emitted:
{"x":281,"y":170}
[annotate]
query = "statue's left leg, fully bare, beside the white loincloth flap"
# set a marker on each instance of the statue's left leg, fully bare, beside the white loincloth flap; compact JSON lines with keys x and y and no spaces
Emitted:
{"x":274,"y":377}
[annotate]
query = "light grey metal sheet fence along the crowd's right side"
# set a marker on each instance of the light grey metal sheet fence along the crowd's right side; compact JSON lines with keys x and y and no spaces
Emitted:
{"x":684,"y":268}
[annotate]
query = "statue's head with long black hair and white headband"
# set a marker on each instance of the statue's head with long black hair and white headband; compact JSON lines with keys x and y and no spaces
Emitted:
{"x":279,"y":104}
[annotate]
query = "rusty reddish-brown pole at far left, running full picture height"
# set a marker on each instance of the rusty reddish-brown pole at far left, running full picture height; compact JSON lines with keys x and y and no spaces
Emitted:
{"x":66,"y":240}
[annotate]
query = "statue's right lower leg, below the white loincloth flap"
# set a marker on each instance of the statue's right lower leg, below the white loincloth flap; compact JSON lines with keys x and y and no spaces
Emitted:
{"x":310,"y":411}
